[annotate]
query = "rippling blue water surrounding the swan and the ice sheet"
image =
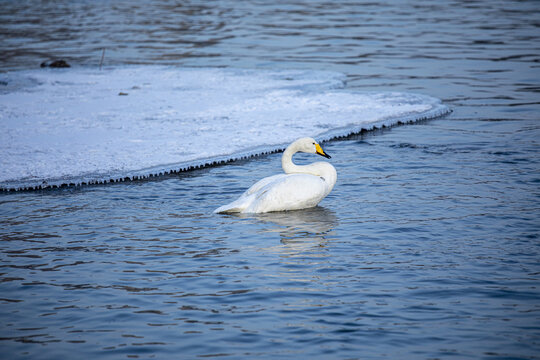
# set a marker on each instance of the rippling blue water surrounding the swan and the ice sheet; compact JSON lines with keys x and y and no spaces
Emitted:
{"x":427,"y":247}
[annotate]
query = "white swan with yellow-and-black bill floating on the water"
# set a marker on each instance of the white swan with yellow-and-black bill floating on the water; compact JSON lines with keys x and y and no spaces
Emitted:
{"x":301,"y":187}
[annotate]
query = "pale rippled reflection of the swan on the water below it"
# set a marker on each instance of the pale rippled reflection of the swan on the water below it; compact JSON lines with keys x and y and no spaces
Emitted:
{"x":299,"y":229}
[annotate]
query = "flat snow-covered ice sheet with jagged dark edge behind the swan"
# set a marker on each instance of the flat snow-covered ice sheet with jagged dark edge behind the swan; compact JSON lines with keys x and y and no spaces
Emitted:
{"x":87,"y":126}
